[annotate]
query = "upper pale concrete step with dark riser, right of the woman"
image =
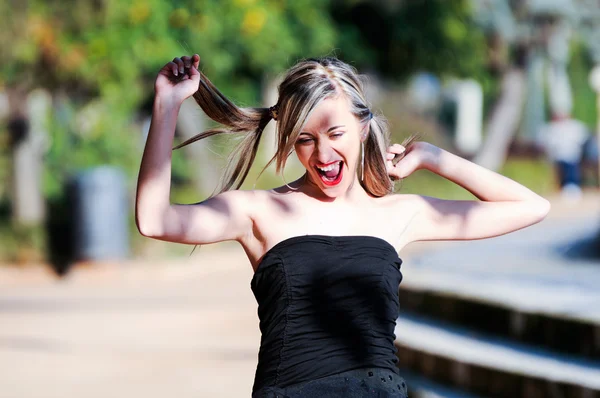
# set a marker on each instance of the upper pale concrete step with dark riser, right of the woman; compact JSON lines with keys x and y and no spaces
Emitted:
{"x":532,"y":286}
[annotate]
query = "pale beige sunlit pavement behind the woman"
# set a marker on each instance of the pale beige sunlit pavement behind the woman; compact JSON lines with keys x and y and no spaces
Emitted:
{"x":184,"y":327}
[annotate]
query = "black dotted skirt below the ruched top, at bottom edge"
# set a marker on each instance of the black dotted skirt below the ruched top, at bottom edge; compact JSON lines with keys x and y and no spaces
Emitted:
{"x":359,"y":383}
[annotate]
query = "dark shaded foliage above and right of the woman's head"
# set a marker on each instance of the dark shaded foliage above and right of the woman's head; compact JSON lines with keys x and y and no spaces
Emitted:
{"x":405,"y":37}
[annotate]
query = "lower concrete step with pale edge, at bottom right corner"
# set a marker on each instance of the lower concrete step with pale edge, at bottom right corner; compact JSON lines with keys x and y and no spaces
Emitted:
{"x":490,"y":366}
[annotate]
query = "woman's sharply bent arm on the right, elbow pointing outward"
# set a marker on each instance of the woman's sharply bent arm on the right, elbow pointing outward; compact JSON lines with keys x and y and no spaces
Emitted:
{"x":504,"y":206}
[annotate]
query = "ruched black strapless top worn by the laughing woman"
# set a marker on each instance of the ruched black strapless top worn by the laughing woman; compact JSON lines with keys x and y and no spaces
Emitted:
{"x":326,"y":304}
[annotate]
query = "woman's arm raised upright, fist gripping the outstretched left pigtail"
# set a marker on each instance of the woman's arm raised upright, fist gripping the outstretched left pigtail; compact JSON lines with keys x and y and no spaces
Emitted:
{"x":223,"y":217}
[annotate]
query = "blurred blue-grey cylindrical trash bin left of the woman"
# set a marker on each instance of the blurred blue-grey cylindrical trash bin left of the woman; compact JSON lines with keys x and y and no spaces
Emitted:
{"x":99,"y":215}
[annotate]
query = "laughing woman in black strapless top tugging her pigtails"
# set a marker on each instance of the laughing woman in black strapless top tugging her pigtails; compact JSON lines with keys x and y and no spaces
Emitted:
{"x":324,"y":248}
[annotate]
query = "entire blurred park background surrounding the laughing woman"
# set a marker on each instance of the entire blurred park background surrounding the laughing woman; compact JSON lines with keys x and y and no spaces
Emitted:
{"x":89,"y":307}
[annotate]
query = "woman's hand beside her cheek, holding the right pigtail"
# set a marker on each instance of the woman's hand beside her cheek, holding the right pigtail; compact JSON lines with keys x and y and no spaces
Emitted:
{"x":417,"y":156}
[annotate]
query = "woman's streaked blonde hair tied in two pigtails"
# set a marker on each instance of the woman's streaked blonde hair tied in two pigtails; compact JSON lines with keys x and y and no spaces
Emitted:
{"x":305,"y":85}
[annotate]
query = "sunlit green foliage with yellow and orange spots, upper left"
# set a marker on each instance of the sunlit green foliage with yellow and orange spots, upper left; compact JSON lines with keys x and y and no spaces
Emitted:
{"x":98,"y":59}
